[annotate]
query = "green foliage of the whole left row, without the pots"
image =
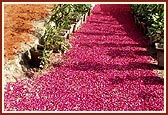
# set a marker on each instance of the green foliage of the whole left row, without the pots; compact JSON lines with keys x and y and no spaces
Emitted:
{"x":62,"y":16}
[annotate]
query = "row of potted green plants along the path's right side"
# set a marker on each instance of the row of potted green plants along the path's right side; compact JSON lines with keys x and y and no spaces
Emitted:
{"x":150,"y":18}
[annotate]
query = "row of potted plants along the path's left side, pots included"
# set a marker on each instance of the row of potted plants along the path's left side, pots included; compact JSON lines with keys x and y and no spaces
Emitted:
{"x":64,"y":20}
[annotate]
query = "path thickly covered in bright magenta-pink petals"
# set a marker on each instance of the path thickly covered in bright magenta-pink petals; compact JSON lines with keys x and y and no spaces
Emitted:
{"x":108,"y":69}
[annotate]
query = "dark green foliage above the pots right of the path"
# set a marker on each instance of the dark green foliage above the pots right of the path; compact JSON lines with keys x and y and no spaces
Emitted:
{"x":153,"y":16}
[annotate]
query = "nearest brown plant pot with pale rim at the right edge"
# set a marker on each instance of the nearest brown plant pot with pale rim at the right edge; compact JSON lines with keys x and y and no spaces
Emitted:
{"x":160,"y":54}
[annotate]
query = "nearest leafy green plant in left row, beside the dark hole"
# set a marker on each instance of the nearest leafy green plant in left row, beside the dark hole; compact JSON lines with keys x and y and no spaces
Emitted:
{"x":52,"y":43}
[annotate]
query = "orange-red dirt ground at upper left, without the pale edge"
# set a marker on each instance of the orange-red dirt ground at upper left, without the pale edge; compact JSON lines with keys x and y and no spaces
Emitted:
{"x":18,"y":25}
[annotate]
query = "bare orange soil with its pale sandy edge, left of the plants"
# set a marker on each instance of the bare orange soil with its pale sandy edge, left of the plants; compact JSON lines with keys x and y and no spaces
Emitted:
{"x":21,"y":23}
